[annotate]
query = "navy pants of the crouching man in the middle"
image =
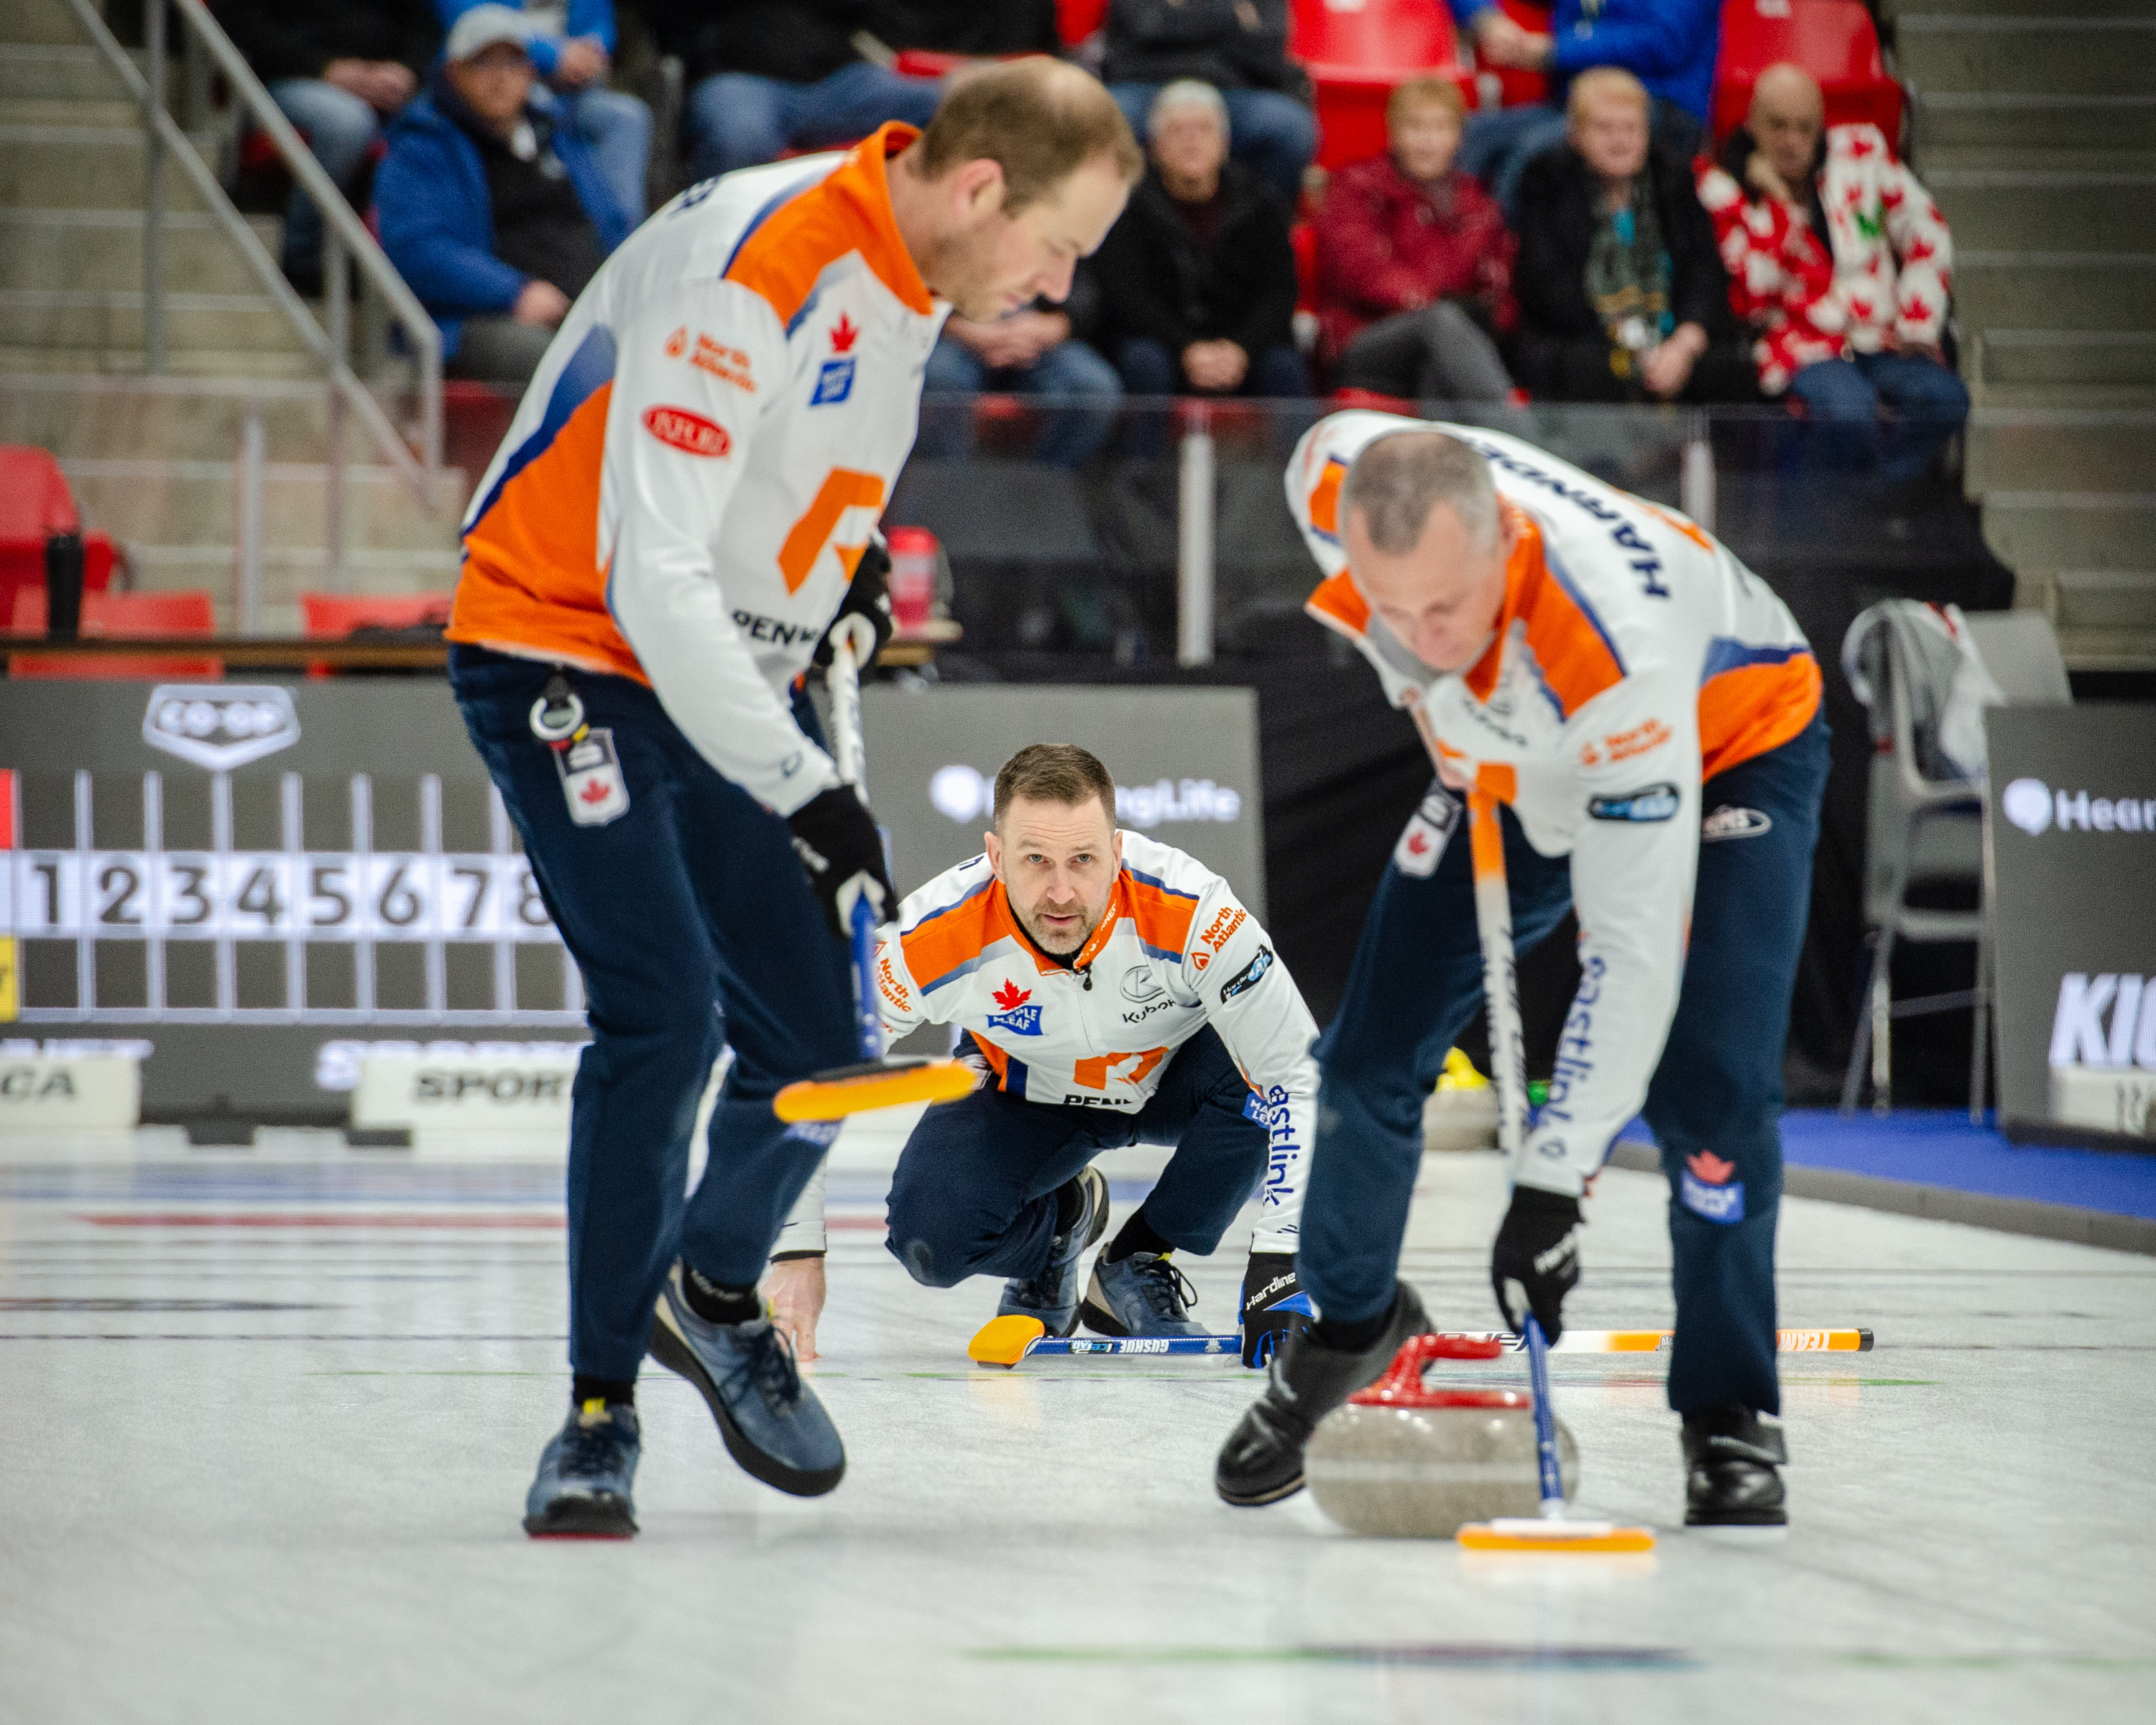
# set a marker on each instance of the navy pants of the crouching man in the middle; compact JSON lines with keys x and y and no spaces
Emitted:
{"x":973,"y":1193}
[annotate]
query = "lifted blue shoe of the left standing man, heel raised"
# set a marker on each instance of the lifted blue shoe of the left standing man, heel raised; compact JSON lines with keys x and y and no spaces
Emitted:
{"x":769,"y":1418}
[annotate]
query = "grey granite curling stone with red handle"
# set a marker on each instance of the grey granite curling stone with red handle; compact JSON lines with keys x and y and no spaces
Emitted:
{"x":1413,"y":1461}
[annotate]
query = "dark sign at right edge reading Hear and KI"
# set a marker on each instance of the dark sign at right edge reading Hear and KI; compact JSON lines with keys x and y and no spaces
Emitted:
{"x":2073,"y":868}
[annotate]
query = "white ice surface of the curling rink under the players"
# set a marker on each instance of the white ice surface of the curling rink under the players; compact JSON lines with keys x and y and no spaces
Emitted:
{"x":271,"y":1469}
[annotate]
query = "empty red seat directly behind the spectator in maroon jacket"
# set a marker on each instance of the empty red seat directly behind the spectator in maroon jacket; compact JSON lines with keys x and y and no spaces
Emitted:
{"x":1357,"y":53}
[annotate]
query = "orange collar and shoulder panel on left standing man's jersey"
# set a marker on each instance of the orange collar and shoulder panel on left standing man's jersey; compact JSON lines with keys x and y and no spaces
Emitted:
{"x":846,"y":212}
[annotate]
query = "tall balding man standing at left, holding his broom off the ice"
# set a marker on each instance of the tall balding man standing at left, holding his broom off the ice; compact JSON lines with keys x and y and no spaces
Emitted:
{"x":682,"y":506}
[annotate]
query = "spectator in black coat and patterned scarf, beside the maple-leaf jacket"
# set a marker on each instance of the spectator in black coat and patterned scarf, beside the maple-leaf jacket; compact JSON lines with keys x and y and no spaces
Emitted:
{"x":1622,"y":294}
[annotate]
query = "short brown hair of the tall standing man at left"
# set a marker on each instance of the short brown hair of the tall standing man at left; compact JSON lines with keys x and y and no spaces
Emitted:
{"x":1038,"y":120}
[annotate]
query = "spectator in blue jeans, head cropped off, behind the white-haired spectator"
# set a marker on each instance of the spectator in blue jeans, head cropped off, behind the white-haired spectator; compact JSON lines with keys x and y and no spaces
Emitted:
{"x":1236,"y":46}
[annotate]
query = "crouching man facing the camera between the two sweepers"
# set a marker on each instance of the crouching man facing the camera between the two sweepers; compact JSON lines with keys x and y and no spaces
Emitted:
{"x":1109,"y":991}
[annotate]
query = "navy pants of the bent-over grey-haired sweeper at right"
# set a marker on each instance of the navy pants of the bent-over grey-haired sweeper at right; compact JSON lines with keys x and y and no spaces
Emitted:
{"x":1715,"y":1099}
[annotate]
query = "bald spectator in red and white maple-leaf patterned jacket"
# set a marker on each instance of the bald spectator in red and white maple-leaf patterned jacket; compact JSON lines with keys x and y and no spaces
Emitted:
{"x":1842,"y":266}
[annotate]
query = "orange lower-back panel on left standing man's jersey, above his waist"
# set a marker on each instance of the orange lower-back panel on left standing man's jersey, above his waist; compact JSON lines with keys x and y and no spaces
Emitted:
{"x":531,"y":575}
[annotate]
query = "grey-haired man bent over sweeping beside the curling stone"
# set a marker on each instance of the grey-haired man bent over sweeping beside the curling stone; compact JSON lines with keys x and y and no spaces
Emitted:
{"x":1650,"y":717}
